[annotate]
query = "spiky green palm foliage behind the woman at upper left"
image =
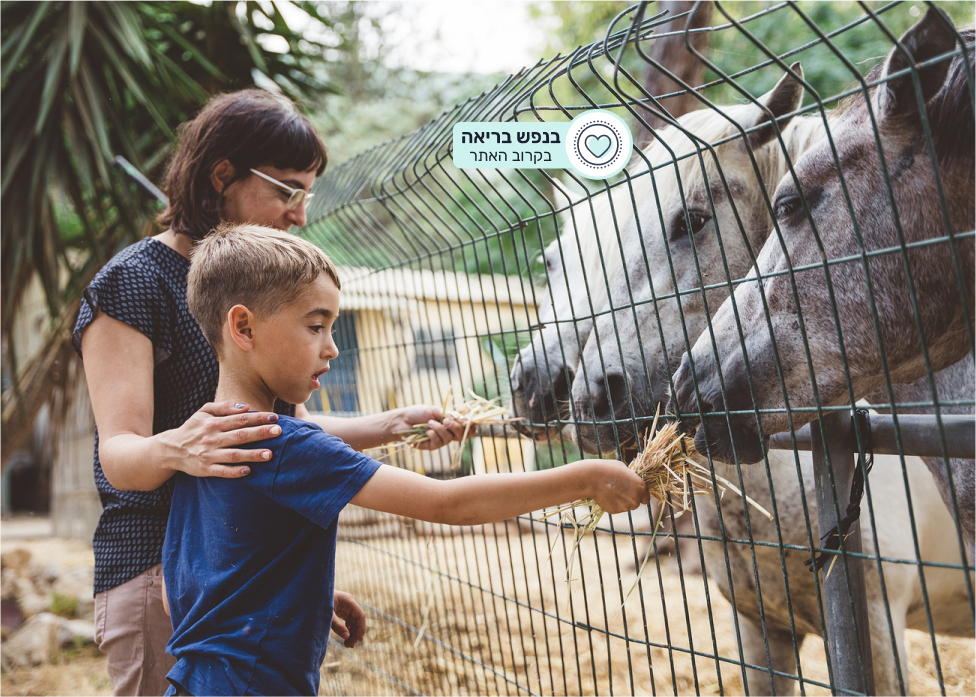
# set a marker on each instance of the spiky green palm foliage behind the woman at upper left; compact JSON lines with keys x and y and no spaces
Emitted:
{"x":82,"y":82}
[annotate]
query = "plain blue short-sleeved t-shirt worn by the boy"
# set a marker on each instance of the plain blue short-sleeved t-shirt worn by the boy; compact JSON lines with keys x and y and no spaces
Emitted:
{"x":250,"y":566}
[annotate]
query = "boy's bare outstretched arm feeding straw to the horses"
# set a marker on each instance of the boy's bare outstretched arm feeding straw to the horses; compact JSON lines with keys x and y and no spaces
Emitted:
{"x":494,"y":497}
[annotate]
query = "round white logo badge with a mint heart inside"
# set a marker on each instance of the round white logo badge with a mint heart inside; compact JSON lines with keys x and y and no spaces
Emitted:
{"x":598,"y":144}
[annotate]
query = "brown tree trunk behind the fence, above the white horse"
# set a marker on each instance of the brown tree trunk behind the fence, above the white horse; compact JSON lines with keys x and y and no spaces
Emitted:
{"x":672,"y":53}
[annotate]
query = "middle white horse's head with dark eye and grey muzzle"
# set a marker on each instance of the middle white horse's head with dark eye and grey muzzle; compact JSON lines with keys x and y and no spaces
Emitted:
{"x":701,"y":216}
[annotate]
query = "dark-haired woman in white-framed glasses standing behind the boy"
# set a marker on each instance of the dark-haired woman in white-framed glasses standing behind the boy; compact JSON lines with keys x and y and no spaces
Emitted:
{"x":248,"y":156}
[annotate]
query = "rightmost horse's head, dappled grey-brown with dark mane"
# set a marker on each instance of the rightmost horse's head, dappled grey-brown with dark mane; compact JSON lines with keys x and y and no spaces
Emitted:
{"x":896,"y":285}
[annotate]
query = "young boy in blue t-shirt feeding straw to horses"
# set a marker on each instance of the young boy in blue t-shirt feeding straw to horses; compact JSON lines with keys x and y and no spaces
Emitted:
{"x":249,"y":563}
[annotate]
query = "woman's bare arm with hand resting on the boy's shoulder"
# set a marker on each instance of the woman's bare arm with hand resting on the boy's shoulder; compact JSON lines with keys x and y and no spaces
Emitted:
{"x":119,"y":367}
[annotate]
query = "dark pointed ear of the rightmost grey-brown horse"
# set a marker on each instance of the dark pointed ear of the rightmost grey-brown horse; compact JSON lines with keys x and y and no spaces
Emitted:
{"x":932,"y":36}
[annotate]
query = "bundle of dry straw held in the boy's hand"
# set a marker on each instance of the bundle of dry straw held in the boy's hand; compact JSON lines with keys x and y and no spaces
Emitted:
{"x":668,"y":468}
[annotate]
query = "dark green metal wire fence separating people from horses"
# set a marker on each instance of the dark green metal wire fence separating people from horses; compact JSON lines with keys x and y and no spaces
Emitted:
{"x":763,"y":267}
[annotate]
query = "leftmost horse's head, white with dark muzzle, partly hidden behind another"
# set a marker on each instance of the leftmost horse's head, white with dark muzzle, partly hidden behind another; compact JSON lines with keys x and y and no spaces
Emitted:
{"x":576,"y":289}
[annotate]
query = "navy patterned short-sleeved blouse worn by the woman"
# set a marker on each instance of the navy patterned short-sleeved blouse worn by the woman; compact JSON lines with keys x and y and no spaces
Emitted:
{"x":145,"y":286}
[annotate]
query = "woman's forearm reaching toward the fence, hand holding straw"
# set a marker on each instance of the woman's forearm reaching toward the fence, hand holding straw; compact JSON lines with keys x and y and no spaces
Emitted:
{"x":374,"y":430}
